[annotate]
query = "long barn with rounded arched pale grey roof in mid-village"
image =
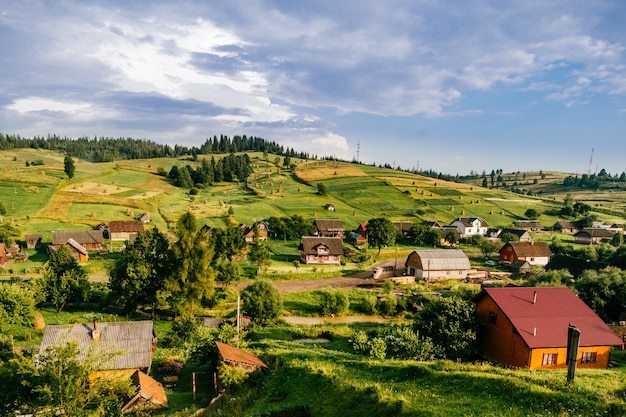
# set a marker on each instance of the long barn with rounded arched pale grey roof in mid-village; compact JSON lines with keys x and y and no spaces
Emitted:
{"x":438,"y":264}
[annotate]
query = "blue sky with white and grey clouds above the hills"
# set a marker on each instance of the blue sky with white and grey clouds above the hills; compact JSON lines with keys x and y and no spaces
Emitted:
{"x":452,"y":86}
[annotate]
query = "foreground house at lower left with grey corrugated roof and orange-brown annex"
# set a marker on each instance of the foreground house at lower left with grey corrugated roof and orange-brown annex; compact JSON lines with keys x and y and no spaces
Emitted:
{"x":134,"y":342}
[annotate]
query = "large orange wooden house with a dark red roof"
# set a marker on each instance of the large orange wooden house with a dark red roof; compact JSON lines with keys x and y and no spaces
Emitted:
{"x":526,"y":327}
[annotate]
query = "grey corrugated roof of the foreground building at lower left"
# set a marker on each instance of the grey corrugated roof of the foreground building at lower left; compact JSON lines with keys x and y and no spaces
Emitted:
{"x":134,"y":339}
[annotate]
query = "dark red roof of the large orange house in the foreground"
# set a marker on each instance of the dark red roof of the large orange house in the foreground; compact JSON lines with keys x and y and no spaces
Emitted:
{"x":545,"y":322}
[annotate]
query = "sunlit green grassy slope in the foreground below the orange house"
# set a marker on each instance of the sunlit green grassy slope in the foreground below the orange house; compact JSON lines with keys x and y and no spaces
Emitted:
{"x":346,"y":384}
